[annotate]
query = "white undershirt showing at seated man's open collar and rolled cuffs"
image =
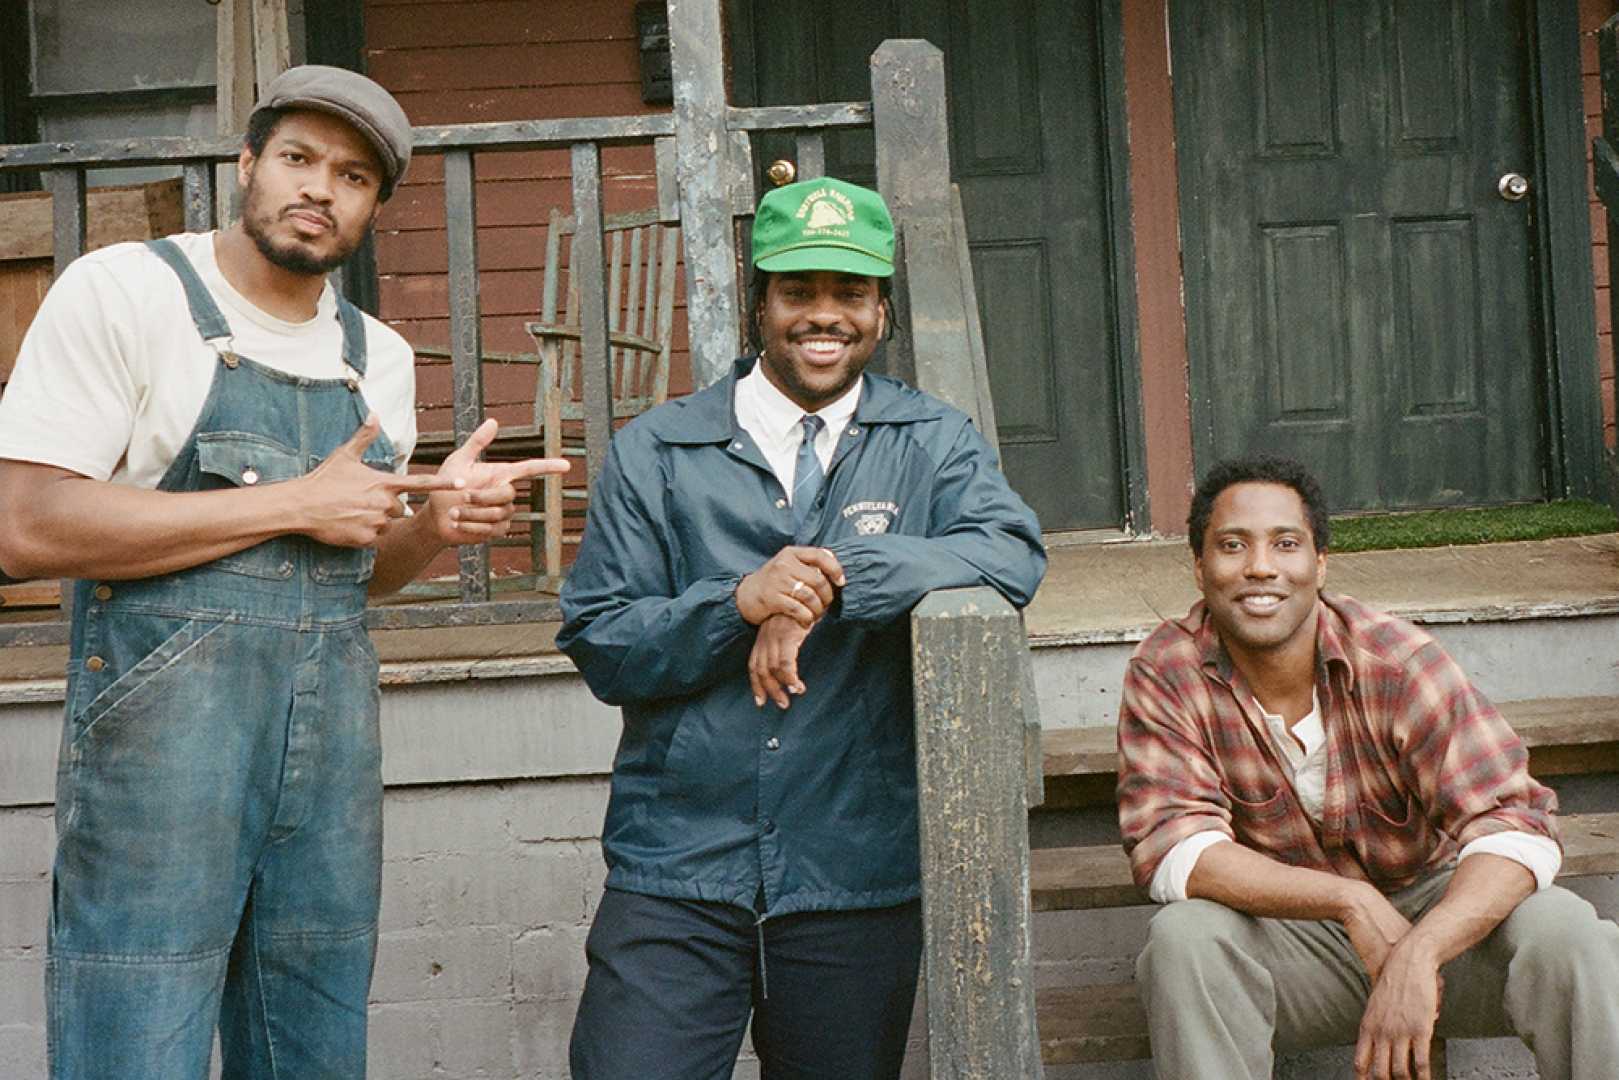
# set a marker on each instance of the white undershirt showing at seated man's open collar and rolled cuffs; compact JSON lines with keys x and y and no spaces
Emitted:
{"x":1304,"y":747}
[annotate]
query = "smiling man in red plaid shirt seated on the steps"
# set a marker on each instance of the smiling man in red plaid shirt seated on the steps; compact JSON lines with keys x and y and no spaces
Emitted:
{"x":1341,"y":827}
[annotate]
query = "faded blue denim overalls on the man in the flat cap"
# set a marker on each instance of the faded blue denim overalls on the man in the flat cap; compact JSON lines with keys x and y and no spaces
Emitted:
{"x":219,"y":793}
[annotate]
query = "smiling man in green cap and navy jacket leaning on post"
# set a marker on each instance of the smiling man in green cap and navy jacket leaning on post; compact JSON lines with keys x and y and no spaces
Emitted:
{"x":750,"y":559}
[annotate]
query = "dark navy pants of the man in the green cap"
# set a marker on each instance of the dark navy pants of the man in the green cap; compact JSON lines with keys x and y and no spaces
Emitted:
{"x":673,"y":984}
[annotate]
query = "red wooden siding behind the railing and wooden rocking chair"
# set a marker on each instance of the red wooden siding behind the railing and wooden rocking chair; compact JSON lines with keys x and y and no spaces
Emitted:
{"x":454,"y":62}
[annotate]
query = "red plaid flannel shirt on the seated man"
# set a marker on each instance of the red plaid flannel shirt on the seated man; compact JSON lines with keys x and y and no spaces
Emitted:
{"x":1419,"y":762}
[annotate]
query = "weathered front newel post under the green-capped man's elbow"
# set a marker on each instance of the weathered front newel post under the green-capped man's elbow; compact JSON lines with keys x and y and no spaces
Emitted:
{"x":967,"y":655}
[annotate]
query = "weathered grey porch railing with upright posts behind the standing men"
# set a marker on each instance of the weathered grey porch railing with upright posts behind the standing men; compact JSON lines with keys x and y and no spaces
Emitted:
{"x":707,"y":192}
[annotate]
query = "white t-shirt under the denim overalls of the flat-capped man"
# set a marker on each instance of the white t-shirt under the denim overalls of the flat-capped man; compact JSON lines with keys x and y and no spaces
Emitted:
{"x":114,"y":375}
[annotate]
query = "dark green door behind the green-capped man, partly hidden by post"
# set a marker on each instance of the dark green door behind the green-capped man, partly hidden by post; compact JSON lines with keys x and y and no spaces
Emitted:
{"x":1029,"y":151}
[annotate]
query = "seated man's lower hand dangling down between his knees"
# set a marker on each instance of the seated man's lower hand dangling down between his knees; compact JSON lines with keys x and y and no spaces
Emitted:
{"x":1398,"y":1027}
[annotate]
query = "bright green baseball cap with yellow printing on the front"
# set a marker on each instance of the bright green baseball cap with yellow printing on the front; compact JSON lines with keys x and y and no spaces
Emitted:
{"x":823,"y":226}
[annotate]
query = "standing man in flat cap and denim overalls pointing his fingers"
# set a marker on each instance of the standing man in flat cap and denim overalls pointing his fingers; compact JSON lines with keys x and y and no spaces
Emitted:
{"x":213,"y":441}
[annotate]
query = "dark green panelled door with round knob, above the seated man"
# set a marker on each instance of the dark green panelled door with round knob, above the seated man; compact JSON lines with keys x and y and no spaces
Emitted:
{"x":1359,"y":294}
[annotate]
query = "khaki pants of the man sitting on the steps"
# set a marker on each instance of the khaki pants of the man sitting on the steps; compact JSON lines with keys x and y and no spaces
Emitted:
{"x":1226,"y":990}
